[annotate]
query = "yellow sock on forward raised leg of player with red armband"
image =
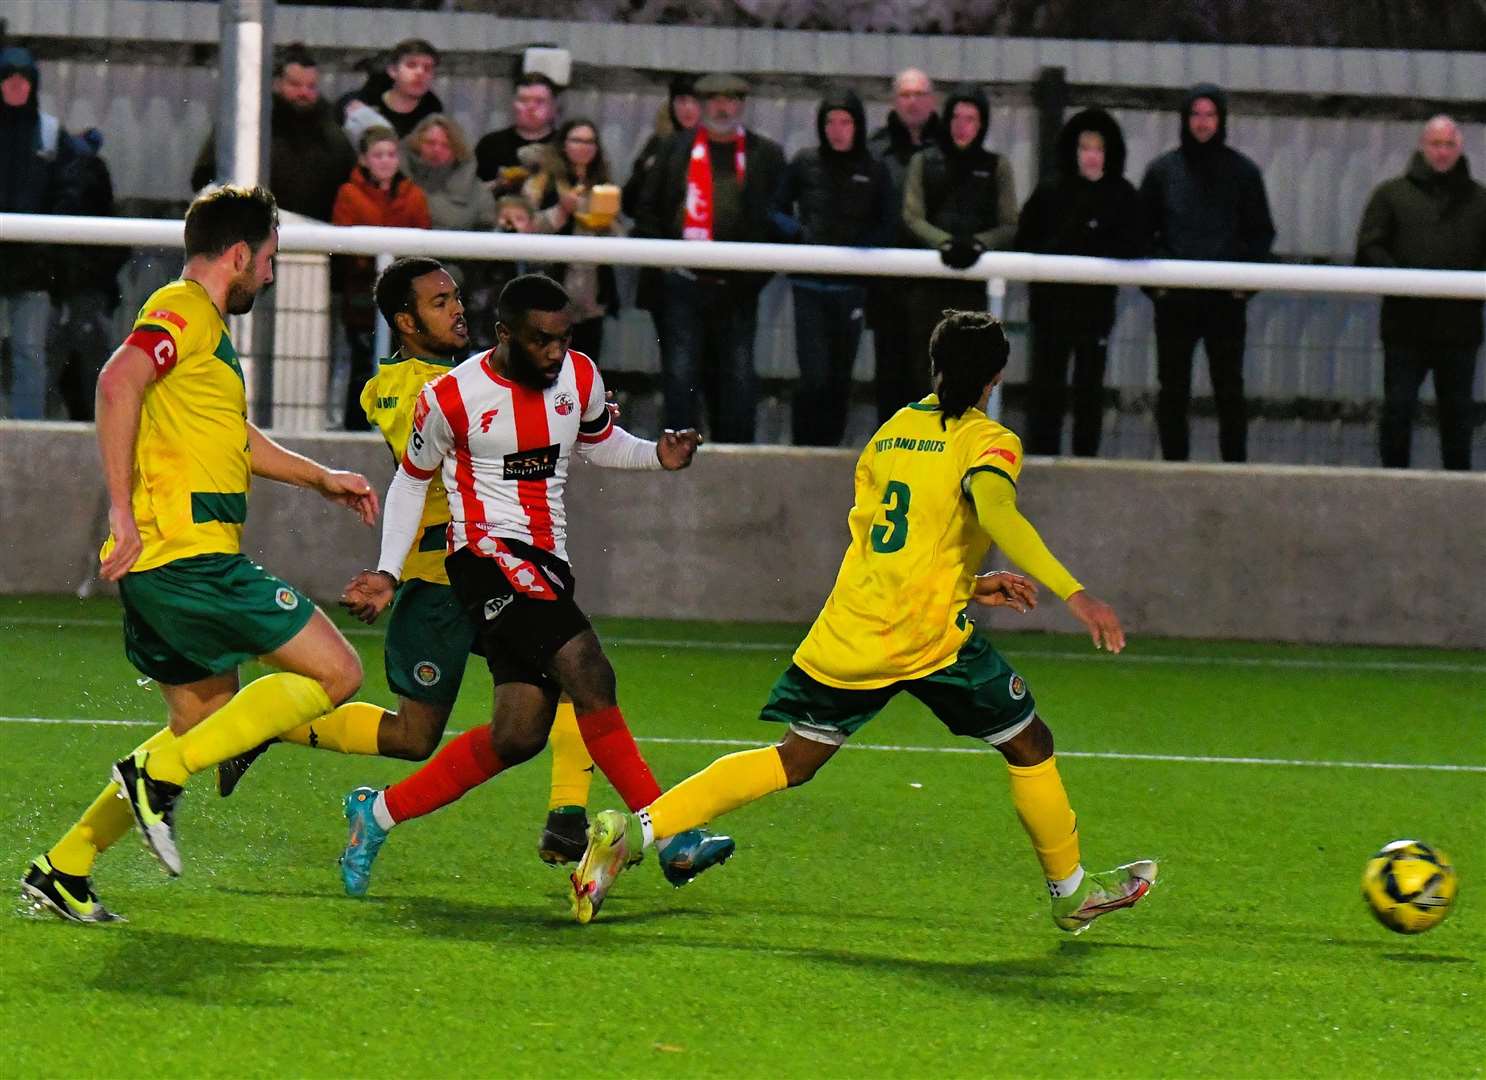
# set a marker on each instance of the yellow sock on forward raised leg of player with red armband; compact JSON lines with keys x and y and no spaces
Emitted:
{"x":264,"y":709}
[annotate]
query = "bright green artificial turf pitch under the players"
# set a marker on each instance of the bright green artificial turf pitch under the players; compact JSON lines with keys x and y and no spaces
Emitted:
{"x":886,"y":920}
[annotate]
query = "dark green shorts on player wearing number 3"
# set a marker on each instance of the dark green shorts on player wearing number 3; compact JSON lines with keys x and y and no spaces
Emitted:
{"x":979,"y":696}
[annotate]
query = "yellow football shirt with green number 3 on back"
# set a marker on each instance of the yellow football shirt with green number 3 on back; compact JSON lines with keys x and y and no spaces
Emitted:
{"x":898,"y":605}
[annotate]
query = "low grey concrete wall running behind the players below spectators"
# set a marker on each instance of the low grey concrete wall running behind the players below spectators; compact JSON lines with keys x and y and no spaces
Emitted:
{"x":1264,"y":553}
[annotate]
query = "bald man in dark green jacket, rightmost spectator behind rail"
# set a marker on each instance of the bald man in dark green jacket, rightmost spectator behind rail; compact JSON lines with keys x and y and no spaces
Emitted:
{"x":1432,"y":218}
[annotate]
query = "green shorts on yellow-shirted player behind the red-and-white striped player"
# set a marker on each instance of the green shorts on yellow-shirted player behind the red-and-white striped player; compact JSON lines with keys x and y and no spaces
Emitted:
{"x":427,"y":644}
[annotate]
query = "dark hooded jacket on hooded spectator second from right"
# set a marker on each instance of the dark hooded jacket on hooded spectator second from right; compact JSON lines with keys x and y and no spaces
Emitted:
{"x":1204,"y":200}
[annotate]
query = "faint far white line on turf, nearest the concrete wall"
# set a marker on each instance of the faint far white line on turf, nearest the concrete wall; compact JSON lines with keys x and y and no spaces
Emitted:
{"x":787,"y":648}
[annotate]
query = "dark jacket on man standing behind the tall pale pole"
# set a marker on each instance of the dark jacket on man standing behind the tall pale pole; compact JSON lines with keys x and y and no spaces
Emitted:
{"x":310,"y":158}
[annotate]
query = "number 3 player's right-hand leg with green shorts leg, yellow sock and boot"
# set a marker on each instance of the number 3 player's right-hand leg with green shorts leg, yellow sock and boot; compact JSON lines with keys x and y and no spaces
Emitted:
{"x":982,"y":697}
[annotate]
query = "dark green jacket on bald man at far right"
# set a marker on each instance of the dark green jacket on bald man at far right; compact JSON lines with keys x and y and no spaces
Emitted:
{"x":1427,"y":221}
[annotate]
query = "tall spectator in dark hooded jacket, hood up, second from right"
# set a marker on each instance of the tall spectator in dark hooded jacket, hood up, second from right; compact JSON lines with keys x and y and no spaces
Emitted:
{"x":1204,"y":201}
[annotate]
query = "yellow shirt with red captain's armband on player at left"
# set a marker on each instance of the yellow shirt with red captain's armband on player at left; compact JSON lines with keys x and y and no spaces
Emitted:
{"x":192,"y":466}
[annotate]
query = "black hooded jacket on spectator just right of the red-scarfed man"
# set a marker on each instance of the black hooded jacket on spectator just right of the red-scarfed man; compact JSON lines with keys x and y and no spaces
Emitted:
{"x":842,"y":198}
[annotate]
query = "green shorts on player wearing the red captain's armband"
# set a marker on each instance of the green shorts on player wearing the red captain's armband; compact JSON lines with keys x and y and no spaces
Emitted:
{"x":204,"y":616}
